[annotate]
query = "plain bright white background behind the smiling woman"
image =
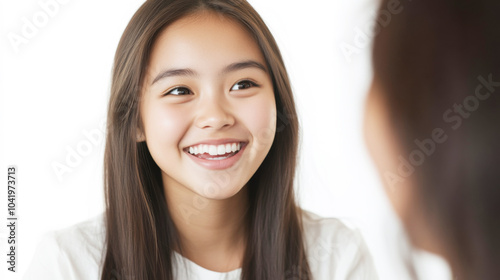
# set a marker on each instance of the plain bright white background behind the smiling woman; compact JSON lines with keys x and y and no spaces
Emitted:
{"x":55,"y":88}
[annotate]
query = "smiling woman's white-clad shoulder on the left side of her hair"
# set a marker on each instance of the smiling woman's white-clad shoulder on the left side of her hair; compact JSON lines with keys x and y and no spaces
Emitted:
{"x":74,"y":252}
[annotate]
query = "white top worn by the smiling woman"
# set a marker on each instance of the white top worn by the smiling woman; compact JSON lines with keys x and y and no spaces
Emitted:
{"x":333,"y":250}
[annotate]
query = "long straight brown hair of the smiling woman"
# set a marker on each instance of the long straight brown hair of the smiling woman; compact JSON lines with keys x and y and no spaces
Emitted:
{"x":140,"y":234}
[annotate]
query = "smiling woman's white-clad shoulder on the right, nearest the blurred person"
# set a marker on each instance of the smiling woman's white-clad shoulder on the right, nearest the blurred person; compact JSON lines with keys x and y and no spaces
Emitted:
{"x":336,"y":251}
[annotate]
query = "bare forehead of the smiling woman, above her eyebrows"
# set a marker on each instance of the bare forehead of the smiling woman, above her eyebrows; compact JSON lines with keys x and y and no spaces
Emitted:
{"x":204,"y":43}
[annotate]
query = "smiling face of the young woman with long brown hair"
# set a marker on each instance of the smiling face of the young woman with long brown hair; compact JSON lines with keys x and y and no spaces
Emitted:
{"x":208,"y":107}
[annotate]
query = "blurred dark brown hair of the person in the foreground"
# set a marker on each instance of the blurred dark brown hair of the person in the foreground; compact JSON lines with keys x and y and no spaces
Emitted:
{"x":435,"y":62}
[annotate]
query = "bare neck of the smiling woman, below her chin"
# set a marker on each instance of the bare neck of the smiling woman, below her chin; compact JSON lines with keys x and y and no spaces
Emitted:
{"x":212,"y":232}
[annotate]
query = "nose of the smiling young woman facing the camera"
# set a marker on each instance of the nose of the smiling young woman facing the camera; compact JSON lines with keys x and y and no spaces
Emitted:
{"x":214,"y":114}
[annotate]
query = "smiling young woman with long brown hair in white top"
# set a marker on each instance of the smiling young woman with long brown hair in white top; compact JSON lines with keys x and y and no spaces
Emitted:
{"x":198,"y":177}
